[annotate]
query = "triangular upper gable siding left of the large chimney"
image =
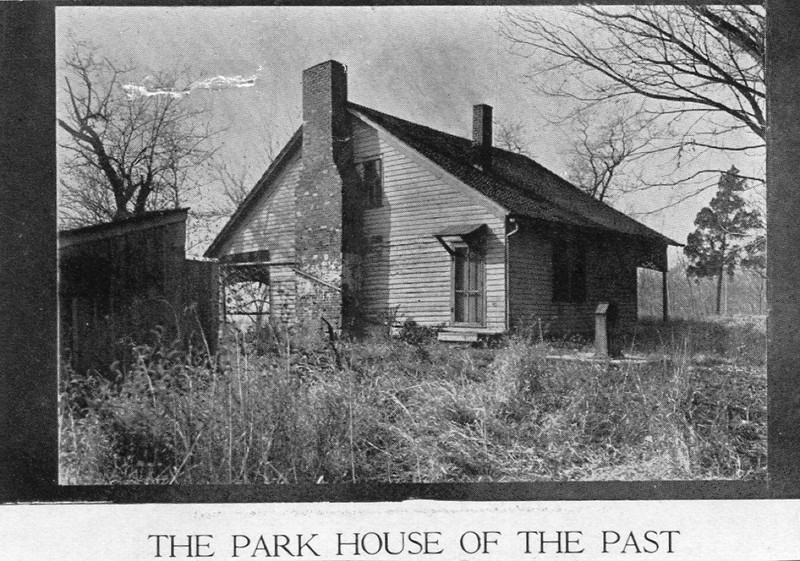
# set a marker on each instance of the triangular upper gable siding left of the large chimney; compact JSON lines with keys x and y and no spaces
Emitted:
{"x":270,"y":225}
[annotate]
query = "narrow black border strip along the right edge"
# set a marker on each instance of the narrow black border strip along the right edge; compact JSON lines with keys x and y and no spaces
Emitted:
{"x":783,"y":248}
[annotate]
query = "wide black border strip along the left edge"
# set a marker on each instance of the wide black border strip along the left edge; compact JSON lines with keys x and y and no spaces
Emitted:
{"x":28,"y":283}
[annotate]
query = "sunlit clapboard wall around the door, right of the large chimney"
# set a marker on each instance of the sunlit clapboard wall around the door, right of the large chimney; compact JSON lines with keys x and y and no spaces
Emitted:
{"x":406,"y":268}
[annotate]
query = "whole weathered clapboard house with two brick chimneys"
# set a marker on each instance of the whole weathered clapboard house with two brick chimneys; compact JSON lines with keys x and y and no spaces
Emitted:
{"x":365,"y":218}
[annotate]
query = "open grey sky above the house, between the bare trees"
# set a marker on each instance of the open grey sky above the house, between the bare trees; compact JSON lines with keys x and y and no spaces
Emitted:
{"x":425,"y":64}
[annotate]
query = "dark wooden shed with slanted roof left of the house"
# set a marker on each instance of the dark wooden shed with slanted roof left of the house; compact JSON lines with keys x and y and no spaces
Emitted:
{"x":120,"y":281}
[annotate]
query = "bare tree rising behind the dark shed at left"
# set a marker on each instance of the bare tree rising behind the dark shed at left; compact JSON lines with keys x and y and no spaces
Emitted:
{"x":129,"y":149}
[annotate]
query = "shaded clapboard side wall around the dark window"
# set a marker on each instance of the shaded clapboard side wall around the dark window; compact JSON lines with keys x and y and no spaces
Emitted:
{"x":610,"y":274}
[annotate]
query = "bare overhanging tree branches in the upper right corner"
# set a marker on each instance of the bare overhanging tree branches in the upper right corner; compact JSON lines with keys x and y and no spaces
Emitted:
{"x":699,"y":70}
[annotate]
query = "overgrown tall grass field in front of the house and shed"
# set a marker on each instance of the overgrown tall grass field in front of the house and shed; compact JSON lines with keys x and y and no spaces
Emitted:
{"x":414,"y":410}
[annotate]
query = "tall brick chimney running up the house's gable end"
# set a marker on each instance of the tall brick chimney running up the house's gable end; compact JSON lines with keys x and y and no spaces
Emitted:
{"x":318,"y":202}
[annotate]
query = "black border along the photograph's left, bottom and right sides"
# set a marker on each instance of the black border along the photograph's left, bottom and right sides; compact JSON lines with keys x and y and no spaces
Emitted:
{"x":28,"y":303}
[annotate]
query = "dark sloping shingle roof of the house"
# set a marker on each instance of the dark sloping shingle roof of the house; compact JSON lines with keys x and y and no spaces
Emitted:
{"x":514,"y":181}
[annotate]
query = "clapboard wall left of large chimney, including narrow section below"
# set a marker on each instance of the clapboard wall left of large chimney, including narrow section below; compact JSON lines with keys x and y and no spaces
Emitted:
{"x":271,"y":226}
